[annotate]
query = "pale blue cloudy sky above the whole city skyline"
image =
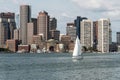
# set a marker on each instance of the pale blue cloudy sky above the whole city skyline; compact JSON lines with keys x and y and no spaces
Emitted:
{"x":66,"y":10}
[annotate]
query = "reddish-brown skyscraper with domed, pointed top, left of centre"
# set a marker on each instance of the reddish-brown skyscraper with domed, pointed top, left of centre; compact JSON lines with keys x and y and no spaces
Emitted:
{"x":43,"y":24}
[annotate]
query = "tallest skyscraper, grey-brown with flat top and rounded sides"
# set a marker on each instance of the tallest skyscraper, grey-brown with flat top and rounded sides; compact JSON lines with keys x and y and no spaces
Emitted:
{"x":25,"y":16}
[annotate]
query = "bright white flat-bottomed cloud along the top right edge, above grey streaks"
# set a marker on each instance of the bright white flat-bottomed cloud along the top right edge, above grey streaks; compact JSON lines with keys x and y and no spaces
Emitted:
{"x":96,"y":4}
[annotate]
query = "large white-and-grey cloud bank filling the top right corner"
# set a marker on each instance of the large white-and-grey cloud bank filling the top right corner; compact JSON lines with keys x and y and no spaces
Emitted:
{"x":110,"y":8}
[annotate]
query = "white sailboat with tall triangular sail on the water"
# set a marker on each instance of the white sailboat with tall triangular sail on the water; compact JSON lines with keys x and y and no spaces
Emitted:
{"x":77,"y":50}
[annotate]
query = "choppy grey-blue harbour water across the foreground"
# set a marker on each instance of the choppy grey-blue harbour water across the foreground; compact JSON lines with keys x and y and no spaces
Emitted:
{"x":59,"y":67}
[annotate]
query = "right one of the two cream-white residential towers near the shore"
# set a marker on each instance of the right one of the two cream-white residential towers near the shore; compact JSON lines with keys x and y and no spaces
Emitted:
{"x":103,"y":35}
